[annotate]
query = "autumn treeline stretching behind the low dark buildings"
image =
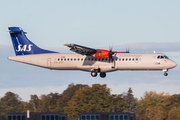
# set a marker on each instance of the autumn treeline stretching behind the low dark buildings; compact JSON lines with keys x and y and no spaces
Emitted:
{"x":98,"y":98}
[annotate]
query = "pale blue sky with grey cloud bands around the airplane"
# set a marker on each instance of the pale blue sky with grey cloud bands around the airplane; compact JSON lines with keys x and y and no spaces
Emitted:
{"x":140,"y":26}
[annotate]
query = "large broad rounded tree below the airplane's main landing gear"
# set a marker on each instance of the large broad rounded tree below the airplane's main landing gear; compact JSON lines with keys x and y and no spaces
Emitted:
{"x":93,"y":99}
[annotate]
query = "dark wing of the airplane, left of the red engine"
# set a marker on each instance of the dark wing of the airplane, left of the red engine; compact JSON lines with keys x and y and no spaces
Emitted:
{"x":81,"y":49}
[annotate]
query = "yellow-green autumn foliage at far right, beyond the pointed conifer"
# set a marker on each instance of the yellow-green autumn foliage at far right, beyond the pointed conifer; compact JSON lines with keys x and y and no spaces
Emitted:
{"x":154,"y":106}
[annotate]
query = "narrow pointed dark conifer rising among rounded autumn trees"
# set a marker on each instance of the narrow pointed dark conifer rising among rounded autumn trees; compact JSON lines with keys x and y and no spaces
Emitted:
{"x":130,"y":101}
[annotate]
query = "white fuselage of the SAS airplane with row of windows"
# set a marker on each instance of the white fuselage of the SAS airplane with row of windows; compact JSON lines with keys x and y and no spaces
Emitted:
{"x":122,"y":61}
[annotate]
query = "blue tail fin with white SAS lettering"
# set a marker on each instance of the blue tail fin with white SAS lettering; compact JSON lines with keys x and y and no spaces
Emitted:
{"x":23,"y":46}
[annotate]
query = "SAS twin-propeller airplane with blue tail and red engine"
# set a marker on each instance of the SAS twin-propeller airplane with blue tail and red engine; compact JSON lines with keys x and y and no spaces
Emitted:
{"x":85,"y":59}
